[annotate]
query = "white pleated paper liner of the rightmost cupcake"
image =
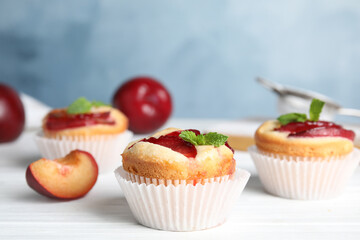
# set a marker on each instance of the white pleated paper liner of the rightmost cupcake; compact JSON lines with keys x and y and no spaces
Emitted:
{"x":304,"y":178}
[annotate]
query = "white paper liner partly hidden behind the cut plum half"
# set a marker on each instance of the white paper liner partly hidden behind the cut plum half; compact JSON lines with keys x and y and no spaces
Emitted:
{"x":106,"y":149}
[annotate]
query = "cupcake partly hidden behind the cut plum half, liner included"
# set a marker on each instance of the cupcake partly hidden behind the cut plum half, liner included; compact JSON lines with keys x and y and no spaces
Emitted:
{"x":90,"y":126}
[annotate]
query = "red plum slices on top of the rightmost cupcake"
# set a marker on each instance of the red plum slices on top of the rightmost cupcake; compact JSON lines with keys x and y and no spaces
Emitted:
{"x":316,"y":129}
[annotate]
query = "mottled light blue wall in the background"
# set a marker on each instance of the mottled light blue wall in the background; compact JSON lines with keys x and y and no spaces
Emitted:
{"x":206,"y":52}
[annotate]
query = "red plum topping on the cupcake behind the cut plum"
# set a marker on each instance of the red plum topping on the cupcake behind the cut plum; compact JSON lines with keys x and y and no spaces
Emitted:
{"x":61,"y":120}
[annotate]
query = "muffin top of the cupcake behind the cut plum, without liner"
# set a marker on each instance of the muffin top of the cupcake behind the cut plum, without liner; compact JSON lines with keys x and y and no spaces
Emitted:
{"x":84,"y":118}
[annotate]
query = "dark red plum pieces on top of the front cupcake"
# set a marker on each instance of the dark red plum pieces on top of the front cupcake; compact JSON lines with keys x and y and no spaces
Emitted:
{"x":176,"y":143}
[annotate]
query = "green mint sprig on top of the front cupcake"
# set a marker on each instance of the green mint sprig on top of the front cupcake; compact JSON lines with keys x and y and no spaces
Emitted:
{"x":212,"y":138}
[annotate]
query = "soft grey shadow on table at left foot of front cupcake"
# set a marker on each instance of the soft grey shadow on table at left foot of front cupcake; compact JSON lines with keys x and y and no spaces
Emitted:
{"x":114,"y":209}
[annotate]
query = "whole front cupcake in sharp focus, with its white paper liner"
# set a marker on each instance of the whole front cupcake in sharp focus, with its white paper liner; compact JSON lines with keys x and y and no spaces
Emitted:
{"x":180,"y":180}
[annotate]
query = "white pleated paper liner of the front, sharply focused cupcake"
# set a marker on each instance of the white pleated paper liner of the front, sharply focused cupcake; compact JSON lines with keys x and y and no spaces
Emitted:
{"x":178,"y":206}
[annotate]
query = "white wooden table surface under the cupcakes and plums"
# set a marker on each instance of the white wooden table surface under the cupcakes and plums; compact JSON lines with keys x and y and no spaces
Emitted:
{"x":104,"y":213}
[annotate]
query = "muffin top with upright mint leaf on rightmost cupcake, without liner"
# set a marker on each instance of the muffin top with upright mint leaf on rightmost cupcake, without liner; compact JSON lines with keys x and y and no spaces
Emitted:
{"x":295,"y":135}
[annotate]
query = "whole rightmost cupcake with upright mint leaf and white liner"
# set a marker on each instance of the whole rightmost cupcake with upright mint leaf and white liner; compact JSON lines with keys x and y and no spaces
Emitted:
{"x":304,"y":158}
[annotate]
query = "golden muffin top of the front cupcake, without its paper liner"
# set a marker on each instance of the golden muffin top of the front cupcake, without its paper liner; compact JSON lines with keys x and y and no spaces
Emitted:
{"x":166,"y":155}
